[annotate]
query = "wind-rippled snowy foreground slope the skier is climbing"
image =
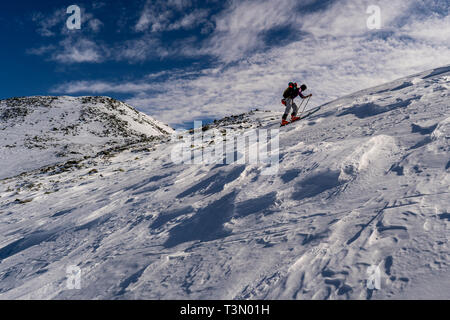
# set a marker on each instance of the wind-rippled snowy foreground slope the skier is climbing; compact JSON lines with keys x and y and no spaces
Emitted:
{"x":362,"y":183}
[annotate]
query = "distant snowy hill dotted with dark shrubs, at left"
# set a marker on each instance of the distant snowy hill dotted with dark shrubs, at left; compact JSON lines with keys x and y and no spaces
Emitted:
{"x":38,"y":131}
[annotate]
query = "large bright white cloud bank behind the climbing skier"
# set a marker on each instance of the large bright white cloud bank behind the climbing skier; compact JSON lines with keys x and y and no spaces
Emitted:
{"x":338,"y":55}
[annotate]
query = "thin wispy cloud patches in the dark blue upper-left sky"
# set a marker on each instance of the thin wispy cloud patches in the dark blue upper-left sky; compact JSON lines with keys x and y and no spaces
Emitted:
{"x":156,"y":17}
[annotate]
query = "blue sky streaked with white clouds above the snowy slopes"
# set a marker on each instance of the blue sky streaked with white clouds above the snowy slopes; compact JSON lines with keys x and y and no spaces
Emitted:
{"x":185,"y":60}
